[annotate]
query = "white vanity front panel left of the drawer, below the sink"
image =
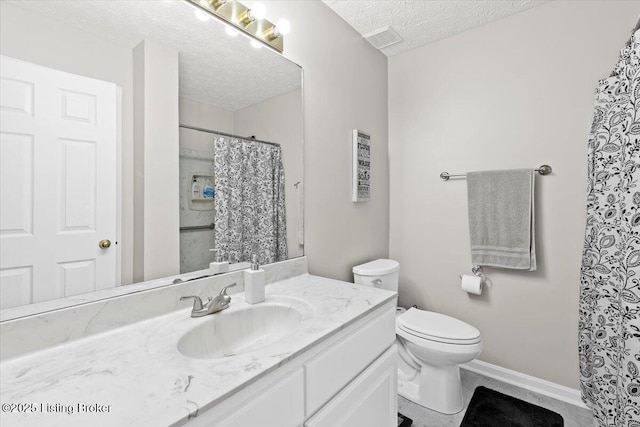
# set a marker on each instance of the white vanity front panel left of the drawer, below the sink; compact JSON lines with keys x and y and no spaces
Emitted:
{"x":281,"y":406}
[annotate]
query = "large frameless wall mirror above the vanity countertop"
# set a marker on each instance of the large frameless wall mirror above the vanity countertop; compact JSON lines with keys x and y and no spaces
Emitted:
{"x":137,"y":136}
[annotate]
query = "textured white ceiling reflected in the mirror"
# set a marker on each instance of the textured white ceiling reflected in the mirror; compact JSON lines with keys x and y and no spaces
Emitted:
{"x":215,"y":68}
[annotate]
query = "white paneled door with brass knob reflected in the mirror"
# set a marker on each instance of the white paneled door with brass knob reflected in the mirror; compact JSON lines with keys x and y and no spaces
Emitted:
{"x":57,"y":183}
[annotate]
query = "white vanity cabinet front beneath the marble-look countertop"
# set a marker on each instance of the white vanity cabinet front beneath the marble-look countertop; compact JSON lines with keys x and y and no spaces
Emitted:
{"x":349,"y":379}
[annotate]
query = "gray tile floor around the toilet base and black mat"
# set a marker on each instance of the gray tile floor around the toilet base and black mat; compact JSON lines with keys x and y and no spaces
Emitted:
{"x":574,"y":416}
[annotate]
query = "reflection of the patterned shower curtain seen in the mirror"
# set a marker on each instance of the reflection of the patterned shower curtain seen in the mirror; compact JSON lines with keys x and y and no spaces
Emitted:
{"x":249,"y":201}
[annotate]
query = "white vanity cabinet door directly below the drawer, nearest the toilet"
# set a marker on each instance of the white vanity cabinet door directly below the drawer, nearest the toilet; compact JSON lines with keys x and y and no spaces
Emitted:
{"x":369,"y":401}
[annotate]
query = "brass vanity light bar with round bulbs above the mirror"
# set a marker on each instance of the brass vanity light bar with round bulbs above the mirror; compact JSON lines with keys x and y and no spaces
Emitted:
{"x":250,"y":21}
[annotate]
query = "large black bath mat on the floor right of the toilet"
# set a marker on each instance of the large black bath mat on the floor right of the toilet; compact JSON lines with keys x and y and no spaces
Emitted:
{"x":489,"y":408}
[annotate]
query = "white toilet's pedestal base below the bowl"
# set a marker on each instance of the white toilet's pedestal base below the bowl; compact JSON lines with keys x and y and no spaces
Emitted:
{"x":436,"y":387}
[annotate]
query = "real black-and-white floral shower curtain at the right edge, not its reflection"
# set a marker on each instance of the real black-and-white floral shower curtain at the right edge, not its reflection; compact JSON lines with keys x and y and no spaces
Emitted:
{"x":609,"y":326}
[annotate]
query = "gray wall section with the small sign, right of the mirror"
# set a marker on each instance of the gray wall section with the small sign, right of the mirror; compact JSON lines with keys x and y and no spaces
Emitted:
{"x":345,"y":88}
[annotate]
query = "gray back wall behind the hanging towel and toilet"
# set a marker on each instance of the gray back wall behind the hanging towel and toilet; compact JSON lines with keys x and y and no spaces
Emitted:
{"x":514,"y":93}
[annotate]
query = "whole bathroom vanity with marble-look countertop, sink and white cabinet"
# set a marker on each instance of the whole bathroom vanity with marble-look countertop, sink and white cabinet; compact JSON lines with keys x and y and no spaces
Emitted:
{"x":317,"y":352}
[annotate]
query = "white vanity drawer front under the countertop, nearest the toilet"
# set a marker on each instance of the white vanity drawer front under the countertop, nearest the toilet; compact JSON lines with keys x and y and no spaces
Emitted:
{"x":331,"y":370}
